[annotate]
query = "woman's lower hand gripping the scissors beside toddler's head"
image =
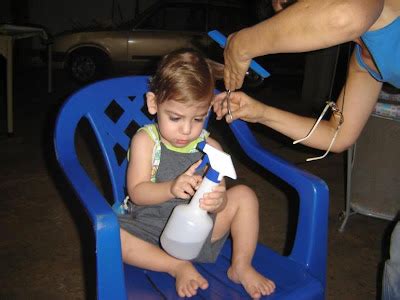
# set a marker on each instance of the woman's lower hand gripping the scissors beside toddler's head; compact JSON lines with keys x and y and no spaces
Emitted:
{"x":242,"y":107}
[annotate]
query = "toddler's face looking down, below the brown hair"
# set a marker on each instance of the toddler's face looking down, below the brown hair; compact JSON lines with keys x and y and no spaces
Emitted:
{"x":181,"y":123}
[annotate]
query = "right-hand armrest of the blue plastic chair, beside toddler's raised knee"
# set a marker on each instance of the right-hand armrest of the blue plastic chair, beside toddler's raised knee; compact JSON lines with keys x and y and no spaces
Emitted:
{"x":310,"y":245}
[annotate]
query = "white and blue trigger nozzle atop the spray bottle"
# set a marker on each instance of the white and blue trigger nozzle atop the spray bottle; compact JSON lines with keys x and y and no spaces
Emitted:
{"x":220,"y":162}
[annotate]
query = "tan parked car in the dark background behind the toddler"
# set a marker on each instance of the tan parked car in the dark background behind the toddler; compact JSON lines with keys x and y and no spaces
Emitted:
{"x":136,"y":46}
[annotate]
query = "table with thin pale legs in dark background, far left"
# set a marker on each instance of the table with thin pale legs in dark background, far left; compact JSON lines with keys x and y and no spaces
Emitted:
{"x":8,"y":34}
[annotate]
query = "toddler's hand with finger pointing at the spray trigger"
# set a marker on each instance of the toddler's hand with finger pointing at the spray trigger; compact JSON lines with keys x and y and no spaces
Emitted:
{"x":185,"y":185}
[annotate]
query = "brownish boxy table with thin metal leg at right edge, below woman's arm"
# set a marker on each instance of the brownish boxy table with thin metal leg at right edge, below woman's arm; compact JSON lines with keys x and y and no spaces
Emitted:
{"x":373,"y":166}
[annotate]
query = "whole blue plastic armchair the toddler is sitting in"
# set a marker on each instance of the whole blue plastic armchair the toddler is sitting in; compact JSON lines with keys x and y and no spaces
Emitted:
{"x":300,"y":275}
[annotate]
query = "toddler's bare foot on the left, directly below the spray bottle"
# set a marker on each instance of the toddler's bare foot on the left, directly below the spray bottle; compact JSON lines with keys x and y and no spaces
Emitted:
{"x":188,"y":280}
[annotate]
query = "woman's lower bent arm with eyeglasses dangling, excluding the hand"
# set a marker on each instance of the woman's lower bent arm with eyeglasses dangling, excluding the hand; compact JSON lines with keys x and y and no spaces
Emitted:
{"x":356,"y":101}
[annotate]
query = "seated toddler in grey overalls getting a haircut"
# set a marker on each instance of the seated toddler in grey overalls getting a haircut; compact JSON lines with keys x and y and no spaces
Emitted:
{"x":161,"y":174}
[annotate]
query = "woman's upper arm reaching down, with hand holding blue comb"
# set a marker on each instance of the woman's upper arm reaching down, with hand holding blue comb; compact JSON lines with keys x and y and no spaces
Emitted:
{"x":304,"y":26}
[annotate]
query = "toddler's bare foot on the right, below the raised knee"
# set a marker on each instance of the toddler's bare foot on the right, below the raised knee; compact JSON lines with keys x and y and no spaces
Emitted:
{"x":255,"y":284}
